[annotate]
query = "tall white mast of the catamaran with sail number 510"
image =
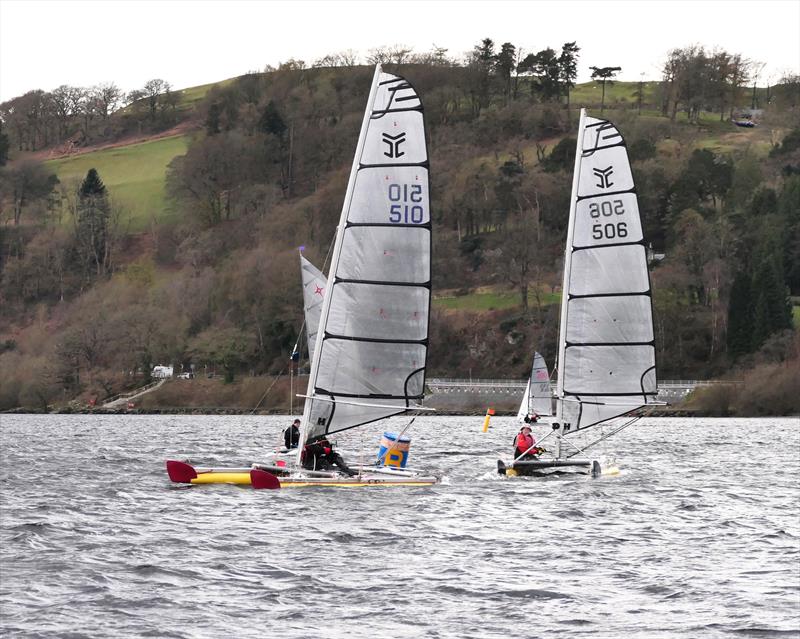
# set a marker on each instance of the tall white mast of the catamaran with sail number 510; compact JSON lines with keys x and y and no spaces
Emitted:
{"x":337,"y":249}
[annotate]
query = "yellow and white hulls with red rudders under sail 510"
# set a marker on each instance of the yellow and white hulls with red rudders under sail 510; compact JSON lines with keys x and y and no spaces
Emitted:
{"x":261,"y":476}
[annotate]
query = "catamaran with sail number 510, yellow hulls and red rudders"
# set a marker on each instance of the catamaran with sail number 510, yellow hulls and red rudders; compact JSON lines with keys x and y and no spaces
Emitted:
{"x":369,"y":354}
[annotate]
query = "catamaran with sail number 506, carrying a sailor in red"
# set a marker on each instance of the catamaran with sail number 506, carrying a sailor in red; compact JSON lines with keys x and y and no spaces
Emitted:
{"x":606,"y":349}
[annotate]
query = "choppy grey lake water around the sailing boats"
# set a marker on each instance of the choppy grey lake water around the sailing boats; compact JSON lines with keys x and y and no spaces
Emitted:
{"x":699,"y":536}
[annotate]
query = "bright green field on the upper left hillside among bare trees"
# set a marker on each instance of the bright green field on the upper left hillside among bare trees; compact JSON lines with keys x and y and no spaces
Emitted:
{"x":134,"y":175}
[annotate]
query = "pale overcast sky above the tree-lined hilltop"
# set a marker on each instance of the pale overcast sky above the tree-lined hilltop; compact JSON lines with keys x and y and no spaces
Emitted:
{"x":44,"y":44}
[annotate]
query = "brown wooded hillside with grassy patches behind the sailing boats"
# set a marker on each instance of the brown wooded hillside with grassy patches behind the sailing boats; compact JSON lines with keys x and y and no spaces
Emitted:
{"x":214,"y":281}
